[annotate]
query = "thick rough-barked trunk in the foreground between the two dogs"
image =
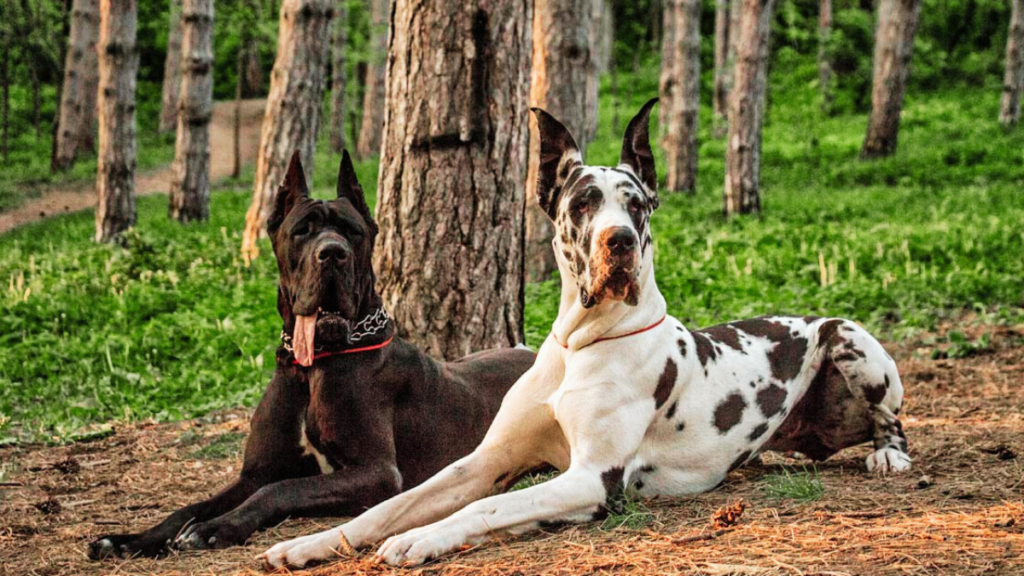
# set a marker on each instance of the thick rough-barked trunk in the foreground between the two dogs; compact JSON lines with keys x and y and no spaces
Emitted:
{"x":451,"y":207}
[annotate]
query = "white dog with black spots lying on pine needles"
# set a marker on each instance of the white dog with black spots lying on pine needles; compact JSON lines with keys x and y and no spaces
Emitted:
{"x":623,"y":397}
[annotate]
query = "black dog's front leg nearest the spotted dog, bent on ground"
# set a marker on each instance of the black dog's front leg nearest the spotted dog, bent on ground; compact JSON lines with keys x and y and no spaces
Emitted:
{"x":344,"y":493}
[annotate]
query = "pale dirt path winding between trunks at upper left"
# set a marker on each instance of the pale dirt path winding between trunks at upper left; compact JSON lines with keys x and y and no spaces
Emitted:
{"x":80,"y":196}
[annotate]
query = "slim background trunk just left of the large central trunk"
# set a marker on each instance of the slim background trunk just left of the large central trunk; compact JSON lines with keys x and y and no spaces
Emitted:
{"x":374,"y":98}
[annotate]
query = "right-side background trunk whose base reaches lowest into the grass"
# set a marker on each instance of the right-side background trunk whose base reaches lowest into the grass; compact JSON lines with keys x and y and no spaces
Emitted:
{"x":747,"y":108}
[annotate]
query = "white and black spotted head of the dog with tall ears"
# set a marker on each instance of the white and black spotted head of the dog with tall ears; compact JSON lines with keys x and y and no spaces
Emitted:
{"x":602,"y":216}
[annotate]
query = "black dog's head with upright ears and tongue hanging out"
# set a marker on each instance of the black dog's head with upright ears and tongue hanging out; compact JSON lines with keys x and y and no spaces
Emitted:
{"x":324,"y":252}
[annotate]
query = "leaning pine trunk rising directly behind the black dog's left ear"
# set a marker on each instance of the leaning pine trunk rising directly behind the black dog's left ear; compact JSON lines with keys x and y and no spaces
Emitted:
{"x":292,"y":107}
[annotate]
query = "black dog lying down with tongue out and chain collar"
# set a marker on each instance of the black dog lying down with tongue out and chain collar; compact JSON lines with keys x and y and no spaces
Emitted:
{"x":354,"y":416}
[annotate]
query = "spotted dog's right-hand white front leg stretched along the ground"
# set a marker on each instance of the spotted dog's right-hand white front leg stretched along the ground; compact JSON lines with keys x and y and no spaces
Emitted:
{"x":578,"y":489}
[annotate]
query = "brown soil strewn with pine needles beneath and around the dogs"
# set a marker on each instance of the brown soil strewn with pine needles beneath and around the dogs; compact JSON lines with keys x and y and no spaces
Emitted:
{"x":960,"y":512}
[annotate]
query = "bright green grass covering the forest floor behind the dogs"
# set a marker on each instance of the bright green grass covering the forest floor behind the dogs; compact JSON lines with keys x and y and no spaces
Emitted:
{"x":176,"y":325}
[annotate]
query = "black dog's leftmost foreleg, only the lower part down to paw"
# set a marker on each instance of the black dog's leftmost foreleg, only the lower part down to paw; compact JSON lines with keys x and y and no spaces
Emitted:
{"x":158,"y":540}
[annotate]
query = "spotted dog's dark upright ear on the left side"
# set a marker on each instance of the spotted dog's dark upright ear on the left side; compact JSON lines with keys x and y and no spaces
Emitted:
{"x":560,"y":155}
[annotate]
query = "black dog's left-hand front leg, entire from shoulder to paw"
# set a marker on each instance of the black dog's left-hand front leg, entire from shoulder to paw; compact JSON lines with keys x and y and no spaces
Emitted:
{"x":272,"y":455}
